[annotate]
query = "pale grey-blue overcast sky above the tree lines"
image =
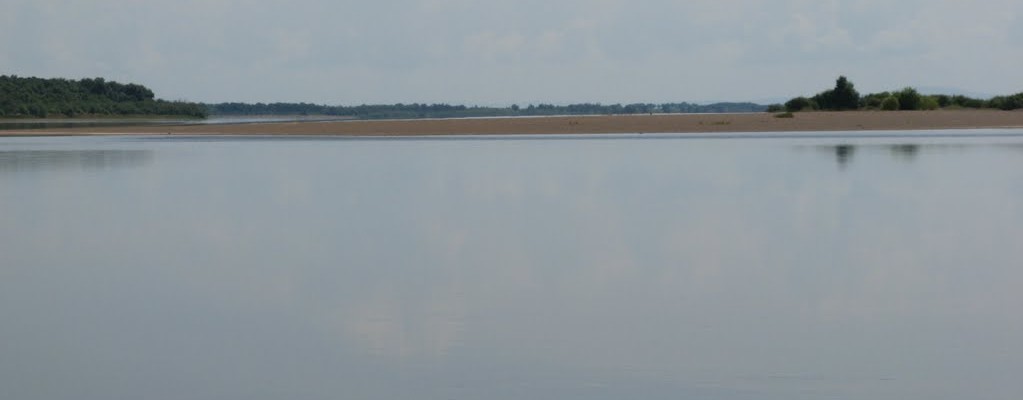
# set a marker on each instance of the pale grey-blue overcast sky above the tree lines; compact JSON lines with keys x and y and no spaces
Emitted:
{"x":527,"y":52}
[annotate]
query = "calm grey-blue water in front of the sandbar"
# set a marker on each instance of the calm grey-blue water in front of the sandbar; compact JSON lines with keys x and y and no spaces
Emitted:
{"x":805,"y":268}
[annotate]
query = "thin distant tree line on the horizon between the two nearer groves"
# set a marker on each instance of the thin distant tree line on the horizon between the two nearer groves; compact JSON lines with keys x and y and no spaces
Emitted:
{"x":417,"y":111}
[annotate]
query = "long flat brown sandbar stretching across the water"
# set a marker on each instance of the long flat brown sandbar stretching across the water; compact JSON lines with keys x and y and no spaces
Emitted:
{"x":711,"y":123}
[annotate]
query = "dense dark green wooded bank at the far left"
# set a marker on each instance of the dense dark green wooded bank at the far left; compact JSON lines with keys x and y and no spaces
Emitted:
{"x":38,"y":98}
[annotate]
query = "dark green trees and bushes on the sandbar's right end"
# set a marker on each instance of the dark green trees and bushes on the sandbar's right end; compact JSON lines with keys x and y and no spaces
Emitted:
{"x":846,"y":98}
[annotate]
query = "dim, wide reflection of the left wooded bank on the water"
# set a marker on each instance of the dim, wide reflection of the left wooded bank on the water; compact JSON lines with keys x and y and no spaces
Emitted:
{"x":21,"y":161}
